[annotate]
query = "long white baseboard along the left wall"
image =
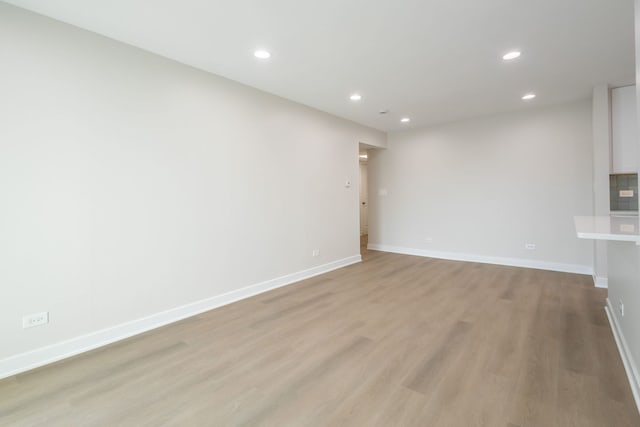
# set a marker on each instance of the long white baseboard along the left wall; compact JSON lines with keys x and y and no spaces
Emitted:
{"x":42,"y":356}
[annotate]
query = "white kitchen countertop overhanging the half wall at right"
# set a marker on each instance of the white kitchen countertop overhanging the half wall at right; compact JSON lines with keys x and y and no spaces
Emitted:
{"x":618,"y":228}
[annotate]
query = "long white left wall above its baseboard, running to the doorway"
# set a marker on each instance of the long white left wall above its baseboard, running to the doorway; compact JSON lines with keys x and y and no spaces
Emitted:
{"x":131,"y":184}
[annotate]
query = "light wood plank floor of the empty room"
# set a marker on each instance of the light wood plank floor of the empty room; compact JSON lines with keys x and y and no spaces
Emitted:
{"x":393,"y":341}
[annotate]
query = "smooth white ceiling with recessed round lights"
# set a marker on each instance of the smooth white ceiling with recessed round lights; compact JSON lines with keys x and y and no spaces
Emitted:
{"x":432,"y":60}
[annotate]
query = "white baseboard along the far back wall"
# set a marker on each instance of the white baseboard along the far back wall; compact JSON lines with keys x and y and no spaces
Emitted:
{"x":514,"y":262}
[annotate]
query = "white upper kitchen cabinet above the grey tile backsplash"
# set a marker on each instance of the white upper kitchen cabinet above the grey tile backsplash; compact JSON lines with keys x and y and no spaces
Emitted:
{"x":624,"y":130}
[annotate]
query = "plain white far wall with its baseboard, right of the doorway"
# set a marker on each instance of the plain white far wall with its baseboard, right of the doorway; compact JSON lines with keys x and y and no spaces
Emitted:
{"x":481,"y":189}
